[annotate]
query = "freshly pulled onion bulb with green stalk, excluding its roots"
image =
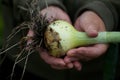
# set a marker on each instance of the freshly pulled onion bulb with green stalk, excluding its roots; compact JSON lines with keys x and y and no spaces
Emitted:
{"x":60,"y":36}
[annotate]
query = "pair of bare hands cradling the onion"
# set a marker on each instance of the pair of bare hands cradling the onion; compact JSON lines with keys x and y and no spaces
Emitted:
{"x":88,"y":22}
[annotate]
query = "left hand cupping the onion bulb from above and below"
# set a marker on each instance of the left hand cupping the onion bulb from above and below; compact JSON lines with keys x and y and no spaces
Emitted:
{"x":52,"y":13}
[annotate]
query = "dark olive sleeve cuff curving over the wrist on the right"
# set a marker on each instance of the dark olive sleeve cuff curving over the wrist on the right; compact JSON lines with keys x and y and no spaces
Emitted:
{"x":106,"y":12}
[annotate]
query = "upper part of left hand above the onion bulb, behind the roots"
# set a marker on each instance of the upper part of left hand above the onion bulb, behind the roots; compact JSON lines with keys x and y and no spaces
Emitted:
{"x":52,"y":13}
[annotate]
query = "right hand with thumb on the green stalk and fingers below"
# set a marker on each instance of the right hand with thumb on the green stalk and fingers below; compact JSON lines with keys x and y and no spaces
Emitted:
{"x":90,"y":23}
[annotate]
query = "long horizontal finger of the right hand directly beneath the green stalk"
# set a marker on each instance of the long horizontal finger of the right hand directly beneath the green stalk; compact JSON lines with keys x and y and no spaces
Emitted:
{"x":89,"y":52}
